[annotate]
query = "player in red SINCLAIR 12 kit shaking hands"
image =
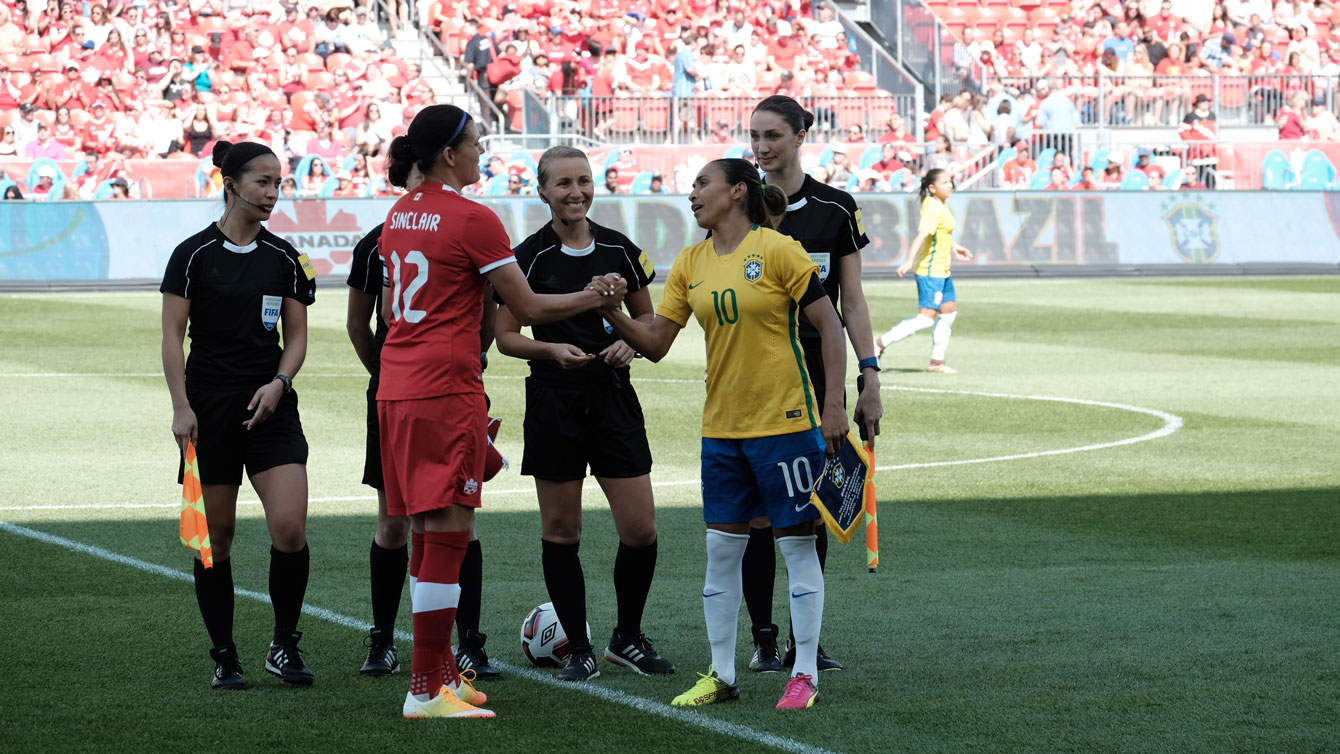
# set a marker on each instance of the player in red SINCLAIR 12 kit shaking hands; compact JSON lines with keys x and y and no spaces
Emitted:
{"x":440,"y":251}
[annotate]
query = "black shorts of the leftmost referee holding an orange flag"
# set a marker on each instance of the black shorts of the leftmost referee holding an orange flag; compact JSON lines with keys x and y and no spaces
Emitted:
{"x":224,"y":447}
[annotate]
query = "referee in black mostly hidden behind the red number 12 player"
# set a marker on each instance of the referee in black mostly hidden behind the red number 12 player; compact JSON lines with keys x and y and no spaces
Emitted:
{"x":391,"y":555}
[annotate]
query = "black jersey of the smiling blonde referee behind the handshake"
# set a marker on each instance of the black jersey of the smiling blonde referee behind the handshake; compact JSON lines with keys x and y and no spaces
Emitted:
{"x":553,"y":269}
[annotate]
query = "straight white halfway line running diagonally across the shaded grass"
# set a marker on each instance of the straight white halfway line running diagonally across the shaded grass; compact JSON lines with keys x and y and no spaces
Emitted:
{"x":697,"y":720}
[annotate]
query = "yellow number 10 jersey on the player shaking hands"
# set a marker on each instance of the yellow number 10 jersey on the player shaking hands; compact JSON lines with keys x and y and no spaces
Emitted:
{"x":748,"y":305}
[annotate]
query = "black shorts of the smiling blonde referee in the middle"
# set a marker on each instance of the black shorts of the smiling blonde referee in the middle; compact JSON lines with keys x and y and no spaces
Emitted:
{"x":572,"y":427}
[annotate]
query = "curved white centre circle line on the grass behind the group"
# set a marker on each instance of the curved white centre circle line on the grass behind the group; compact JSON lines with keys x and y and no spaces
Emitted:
{"x":1172,"y":424}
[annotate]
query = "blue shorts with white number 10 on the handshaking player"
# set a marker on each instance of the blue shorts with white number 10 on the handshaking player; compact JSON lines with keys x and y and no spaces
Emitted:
{"x":766,"y":476}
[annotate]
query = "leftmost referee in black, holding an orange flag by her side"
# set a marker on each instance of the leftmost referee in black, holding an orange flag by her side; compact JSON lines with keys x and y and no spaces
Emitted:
{"x":238,"y":287}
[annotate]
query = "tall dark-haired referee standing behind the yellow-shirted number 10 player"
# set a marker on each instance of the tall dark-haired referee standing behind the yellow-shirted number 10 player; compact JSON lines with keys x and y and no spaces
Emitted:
{"x":827,"y":223}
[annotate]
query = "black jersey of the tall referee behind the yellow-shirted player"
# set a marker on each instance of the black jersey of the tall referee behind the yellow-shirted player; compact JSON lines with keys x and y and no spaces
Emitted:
{"x":827,"y":224}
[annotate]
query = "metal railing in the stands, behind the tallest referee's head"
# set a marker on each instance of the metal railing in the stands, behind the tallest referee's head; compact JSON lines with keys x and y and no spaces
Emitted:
{"x":693,"y":120}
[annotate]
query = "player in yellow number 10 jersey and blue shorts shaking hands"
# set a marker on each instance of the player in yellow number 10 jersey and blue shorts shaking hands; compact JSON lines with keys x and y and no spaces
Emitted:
{"x":763,"y":437}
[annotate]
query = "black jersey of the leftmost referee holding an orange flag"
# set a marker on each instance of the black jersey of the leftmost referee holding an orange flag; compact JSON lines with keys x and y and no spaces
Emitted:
{"x":237,"y":297}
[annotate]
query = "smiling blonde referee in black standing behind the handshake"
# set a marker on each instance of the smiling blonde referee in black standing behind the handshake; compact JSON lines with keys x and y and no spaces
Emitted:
{"x":581,"y":410}
